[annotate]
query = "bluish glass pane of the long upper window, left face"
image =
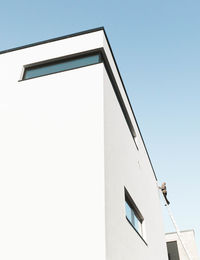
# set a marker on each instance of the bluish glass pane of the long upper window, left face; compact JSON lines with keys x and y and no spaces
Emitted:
{"x":60,"y":65}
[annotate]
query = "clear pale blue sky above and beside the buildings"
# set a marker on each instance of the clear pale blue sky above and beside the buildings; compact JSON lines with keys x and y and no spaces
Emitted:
{"x":157,"y":47}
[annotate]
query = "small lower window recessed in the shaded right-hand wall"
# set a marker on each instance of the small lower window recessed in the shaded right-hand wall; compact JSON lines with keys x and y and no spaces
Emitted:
{"x":133,"y":215}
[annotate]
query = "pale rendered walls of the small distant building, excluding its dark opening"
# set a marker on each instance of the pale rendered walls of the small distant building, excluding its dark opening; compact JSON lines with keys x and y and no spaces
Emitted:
{"x":188,"y":238}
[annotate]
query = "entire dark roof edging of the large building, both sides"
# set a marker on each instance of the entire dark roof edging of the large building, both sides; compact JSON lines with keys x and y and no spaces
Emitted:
{"x":78,"y":34}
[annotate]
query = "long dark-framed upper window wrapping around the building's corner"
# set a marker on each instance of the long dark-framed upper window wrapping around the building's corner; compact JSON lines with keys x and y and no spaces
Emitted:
{"x":76,"y":61}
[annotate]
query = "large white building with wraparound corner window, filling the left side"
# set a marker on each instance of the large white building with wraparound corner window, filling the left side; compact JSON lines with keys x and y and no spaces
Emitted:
{"x":76,"y":181}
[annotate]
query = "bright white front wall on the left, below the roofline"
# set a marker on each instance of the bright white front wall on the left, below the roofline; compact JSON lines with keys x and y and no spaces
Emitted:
{"x":51,"y":159}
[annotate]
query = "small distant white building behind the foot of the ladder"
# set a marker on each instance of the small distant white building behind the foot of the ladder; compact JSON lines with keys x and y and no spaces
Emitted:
{"x":176,"y":250}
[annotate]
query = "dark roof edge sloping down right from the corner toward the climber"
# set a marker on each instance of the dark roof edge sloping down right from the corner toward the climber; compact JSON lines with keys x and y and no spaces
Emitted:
{"x":130,"y":104}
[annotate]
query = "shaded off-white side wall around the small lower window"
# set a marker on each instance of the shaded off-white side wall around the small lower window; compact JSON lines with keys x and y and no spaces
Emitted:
{"x":127,"y":166}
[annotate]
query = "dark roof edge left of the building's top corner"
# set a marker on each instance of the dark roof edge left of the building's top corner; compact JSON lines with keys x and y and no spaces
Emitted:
{"x":53,"y":40}
